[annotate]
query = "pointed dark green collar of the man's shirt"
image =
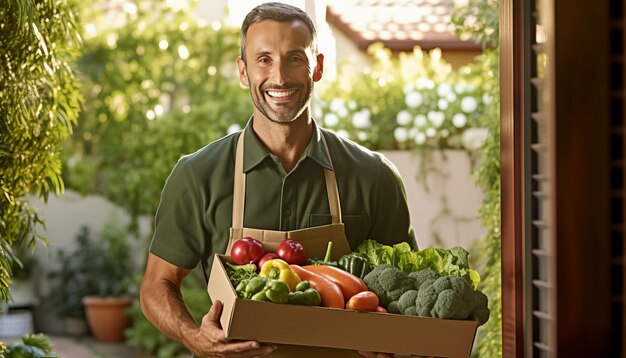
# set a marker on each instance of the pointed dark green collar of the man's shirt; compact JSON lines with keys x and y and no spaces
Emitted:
{"x":255,"y":152}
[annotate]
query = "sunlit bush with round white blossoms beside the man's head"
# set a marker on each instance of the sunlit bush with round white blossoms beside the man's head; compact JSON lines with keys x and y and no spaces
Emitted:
{"x":413,"y":100}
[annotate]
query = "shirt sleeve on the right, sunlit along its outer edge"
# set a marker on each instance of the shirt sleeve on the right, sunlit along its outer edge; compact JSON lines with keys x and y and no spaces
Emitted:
{"x":391,"y":222}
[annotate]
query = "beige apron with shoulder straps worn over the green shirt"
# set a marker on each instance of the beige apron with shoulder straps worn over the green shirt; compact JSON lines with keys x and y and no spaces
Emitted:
{"x":314,"y":239}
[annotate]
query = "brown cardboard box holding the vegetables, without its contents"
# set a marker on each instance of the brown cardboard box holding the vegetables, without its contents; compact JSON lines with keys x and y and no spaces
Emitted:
{"x":336,"y":328}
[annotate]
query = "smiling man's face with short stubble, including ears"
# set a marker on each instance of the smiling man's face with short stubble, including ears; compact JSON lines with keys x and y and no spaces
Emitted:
{"x":280,"y":69}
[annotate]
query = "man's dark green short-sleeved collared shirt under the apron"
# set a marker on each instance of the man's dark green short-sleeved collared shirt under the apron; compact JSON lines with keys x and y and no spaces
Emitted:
{"x":195,"y":213}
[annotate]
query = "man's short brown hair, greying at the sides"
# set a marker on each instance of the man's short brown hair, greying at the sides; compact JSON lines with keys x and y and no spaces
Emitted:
{"x":277,"y":12}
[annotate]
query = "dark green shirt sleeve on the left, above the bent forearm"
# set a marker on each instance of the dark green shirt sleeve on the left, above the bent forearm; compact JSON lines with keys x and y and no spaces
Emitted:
{"x":179,"y":232}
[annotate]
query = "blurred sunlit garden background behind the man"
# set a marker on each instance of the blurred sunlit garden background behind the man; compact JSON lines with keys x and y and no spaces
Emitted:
{"x":99,"y":99}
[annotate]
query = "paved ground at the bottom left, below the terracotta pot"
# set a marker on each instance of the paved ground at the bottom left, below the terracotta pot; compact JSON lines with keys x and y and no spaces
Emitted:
{"x":87,"y":347}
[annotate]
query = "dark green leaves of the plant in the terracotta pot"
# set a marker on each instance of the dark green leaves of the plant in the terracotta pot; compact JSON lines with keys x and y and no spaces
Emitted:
{"x":99,"y":267}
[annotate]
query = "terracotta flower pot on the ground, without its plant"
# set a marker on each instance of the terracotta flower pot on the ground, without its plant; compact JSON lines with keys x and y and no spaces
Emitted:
{"x":106,"y":317}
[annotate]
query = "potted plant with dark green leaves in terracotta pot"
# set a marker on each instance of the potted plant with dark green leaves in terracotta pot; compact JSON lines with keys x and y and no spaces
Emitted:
{"x":94,"y":282}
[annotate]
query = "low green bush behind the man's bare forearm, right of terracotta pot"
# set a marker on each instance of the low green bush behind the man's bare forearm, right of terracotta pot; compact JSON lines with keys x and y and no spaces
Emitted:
{"x":144,"y":336}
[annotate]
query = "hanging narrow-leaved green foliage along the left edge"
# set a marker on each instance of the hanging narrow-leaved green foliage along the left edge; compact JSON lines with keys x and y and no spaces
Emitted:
{"x":39,"y":104}
